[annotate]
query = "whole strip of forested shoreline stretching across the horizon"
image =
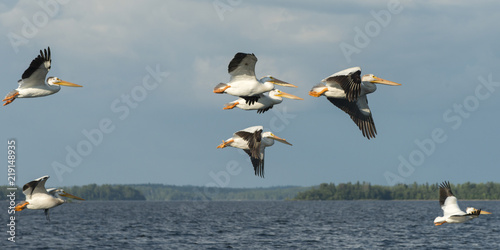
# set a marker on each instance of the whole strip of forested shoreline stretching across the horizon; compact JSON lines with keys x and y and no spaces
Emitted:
{"x":325,"y":191}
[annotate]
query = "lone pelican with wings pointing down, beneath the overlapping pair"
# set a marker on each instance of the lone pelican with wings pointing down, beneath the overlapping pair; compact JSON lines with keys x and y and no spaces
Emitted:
{"x":253,"y":141}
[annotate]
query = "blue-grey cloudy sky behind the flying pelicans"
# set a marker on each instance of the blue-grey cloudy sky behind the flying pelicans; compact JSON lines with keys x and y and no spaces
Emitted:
{"x":147,"y":114}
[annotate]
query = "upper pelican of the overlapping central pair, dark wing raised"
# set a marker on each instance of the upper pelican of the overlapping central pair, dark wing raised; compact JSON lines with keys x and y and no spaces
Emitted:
{"x":243,"y":82}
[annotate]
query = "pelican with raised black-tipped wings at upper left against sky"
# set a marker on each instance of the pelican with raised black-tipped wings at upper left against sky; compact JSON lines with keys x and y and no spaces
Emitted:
{"x":33,"y":83}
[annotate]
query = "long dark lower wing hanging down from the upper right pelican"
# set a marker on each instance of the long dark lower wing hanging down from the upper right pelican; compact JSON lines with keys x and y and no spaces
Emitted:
{"x":359,"y":112}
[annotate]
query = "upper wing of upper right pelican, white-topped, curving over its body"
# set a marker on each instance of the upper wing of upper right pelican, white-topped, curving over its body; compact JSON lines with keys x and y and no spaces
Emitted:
{"x":349,"y":80}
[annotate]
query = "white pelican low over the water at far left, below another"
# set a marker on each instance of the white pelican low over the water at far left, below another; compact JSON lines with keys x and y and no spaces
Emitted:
{"x":37,"y":197}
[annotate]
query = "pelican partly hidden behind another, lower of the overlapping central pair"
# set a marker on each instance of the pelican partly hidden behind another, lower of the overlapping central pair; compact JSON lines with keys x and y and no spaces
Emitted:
{"x":264,"y":103}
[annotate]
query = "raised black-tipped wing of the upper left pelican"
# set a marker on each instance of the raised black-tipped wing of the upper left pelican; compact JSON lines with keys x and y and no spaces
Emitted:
{"x":37,"y":71}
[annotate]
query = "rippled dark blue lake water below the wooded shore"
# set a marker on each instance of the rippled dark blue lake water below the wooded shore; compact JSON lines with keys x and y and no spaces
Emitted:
{"x":252,"y":225}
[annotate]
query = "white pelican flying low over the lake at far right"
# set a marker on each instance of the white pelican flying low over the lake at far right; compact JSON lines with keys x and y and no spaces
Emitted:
{"x":452,"y":213}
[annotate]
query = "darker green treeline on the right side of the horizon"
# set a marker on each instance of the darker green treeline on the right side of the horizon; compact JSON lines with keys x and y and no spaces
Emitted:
{"x":366,"y":191}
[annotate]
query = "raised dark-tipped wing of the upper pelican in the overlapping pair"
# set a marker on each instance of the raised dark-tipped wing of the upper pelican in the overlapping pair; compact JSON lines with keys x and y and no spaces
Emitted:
{"x":242,"y":66}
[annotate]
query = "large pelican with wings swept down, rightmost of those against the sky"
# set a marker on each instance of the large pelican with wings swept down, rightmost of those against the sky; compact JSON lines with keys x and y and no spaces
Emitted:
{"x":347,"y":90}
